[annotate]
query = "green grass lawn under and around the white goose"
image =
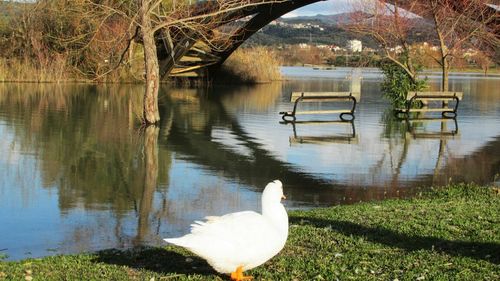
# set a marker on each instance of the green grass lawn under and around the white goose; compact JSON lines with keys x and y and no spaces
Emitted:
{"x":450,"y":233}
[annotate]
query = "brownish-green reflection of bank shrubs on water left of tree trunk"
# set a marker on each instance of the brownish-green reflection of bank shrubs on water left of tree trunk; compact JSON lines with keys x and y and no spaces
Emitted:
{"x":86,"y":142}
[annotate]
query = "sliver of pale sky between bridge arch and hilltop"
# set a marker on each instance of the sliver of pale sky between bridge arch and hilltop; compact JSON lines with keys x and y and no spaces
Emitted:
{"x":326,"y":8}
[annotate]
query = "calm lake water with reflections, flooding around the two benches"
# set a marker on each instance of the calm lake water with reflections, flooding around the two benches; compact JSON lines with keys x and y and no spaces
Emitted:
{"x":77,"y":174}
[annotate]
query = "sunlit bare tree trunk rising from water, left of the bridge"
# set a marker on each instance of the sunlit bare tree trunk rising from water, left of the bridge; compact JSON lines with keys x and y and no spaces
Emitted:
{"x":151,"y":114}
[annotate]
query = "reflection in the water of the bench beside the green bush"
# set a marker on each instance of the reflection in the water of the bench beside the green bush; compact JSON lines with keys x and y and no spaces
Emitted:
{"x":443,"y":133}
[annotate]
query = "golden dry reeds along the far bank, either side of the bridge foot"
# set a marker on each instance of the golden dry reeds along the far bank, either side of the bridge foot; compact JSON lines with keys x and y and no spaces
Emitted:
{"x":245,"y":66}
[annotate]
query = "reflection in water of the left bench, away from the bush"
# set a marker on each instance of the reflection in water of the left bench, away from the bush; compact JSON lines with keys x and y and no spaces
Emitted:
{"x":349,"y":137}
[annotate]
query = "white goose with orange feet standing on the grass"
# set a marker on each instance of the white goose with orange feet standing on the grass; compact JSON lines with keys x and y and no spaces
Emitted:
{"x":240,"y":241}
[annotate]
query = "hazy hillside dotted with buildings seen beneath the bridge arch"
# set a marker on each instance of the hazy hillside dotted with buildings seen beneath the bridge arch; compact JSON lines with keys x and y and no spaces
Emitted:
{"x":325,"y":29}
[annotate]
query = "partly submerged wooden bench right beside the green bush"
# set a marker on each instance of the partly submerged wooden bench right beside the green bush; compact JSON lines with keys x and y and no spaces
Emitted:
{"x":443,"y":97}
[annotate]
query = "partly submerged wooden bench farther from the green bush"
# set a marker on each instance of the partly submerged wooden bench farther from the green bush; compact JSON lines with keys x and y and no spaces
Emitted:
{"x":318,"y":97}
